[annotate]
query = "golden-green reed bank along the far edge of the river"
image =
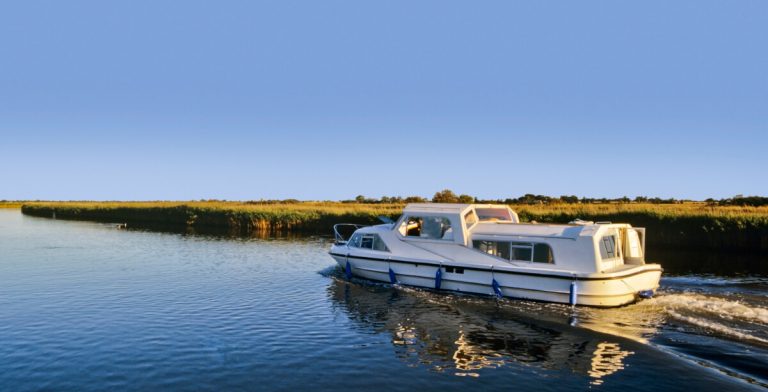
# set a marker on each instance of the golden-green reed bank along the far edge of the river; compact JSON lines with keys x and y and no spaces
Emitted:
{"x":689,"y":225}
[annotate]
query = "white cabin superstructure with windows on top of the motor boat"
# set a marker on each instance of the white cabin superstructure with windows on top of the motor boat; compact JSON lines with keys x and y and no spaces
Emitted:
{"x":496,"y":230}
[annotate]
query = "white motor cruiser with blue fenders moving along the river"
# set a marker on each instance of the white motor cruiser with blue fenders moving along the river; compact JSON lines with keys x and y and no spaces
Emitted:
{"x":484,"y":249}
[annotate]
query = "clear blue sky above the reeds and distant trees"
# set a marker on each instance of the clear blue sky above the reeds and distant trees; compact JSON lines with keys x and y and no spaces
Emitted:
{"x":144,"y":100}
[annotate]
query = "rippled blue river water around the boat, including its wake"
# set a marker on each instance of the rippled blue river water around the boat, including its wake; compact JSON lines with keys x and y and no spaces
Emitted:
{"x":85,"y":306}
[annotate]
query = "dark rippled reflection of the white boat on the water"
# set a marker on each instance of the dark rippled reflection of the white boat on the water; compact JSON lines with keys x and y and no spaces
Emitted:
{"x":466,"y":334}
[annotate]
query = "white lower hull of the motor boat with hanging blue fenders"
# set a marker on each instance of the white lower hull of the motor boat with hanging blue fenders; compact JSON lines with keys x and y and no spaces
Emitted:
{"x":608,"y":291}
